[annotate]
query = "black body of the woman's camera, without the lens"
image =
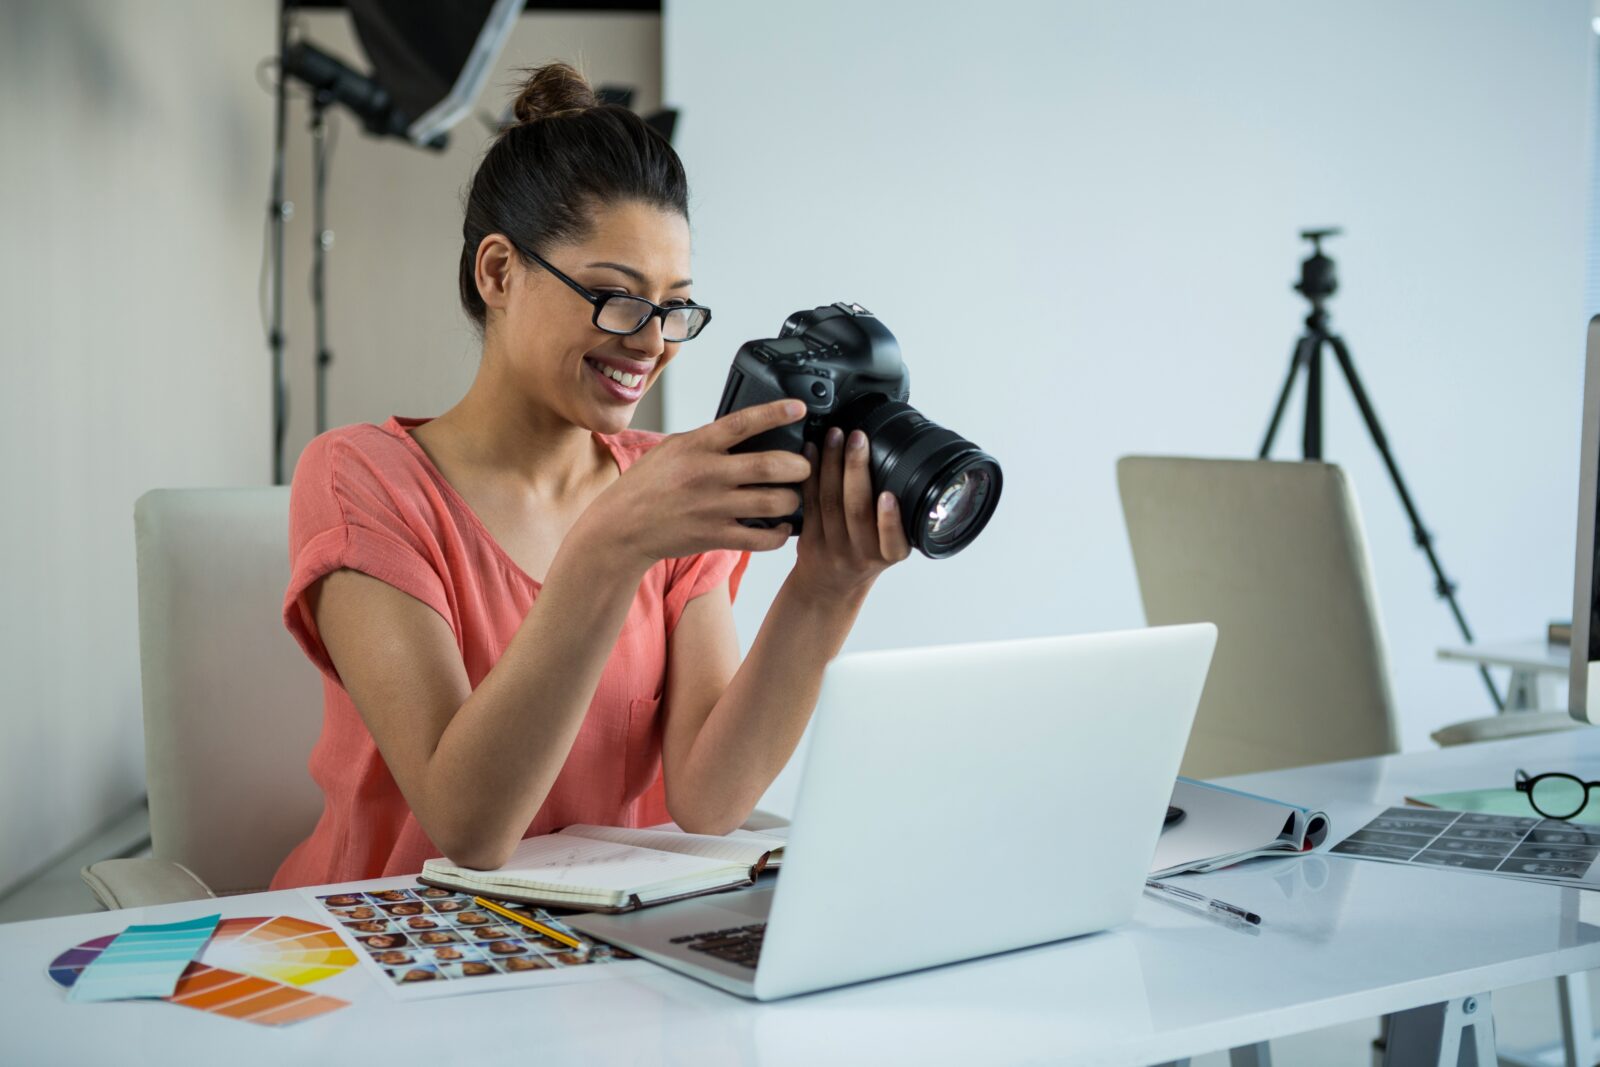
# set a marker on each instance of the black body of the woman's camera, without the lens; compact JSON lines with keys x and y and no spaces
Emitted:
{"x":836,"y":361}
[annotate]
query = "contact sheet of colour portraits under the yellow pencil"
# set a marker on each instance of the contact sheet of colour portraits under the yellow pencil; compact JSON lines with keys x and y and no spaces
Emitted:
{"x":434,"y":943}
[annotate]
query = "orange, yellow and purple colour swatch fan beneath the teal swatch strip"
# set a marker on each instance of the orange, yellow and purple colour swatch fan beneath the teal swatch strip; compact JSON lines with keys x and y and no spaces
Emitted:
{"x":250,"y":970}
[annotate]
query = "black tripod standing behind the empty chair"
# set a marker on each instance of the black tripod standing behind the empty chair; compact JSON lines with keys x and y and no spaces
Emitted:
{"x":1318,"y":284}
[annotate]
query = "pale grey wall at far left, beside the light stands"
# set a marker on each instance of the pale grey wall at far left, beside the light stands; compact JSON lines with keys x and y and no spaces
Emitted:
{"x":132,"y":193}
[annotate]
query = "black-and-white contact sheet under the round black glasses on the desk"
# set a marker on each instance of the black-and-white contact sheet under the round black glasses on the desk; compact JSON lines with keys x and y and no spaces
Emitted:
{"x":1535,"y":850}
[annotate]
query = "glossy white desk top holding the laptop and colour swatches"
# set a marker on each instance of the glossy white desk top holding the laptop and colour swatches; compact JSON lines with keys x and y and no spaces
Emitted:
{"x":1342,"y":940}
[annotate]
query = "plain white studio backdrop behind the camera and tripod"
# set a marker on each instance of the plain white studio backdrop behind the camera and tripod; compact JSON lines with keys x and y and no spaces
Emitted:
{"x":1081,"y":222}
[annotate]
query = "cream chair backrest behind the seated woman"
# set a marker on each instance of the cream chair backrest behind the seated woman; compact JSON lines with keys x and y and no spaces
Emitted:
{"x":231,"y":705}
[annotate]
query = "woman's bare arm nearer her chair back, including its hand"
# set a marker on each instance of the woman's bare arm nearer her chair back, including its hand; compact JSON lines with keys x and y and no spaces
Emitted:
{"x":476,"y":765}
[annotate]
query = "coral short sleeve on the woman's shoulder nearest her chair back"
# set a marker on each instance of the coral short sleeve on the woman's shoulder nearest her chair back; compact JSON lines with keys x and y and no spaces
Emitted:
{"x":346,"y":514}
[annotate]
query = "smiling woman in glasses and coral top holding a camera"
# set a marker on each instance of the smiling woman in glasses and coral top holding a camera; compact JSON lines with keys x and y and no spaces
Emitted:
{"x":522,"y":609}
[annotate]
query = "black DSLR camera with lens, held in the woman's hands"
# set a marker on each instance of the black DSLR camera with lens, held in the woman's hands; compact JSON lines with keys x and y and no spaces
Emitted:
{"x":847,"y":369}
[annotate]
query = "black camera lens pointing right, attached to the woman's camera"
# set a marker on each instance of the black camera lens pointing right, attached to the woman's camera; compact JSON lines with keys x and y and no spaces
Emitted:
{"x":948,"y":487}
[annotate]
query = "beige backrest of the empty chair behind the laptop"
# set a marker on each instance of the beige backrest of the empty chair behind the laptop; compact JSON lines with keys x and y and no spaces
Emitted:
{"x":1274,"y":554}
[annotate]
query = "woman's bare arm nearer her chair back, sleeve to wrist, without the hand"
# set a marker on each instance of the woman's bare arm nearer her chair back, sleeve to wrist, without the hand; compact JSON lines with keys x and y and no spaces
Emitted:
{"x":401,"y":665}
